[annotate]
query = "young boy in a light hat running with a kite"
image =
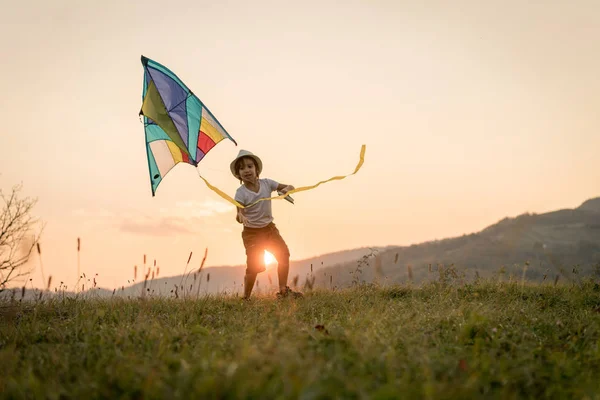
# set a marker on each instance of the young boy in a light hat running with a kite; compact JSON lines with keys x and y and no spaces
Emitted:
{"x":260,"y":233}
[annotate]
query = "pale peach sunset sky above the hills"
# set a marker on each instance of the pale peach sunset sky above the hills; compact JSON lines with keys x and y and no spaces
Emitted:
{"x":470,"y":112}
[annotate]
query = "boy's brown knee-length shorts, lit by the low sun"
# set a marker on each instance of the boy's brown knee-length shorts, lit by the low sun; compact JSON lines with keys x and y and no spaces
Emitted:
{"x":257,"y":240}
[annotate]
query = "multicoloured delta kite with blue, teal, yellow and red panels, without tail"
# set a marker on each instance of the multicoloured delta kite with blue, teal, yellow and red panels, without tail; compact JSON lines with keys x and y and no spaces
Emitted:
{"x":179,"y":127}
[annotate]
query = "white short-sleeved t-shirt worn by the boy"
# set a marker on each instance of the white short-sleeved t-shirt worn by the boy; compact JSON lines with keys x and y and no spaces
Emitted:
{"x":259,"y":215}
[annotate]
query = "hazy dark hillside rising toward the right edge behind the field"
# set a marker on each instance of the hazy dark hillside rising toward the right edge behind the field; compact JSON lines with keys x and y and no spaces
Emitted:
{"x":564,"y":243}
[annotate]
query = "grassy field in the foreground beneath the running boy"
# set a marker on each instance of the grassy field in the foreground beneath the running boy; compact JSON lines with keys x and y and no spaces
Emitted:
{"x":484,"y":340}
